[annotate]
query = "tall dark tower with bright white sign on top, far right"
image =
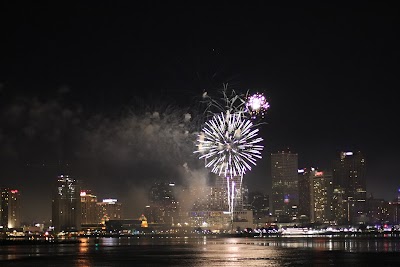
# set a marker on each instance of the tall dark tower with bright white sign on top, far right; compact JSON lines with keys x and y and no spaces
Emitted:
{"x":349,"y":176}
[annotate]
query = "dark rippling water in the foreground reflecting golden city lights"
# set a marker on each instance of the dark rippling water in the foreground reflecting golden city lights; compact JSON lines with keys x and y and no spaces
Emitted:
{"x":208,"y":251}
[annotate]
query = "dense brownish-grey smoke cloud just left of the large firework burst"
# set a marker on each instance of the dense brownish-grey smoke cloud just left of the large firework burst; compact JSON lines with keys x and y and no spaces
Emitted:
{"x":153,"y":144}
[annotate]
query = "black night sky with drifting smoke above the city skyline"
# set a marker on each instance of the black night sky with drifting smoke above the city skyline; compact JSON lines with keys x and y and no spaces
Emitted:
{"x":100,"y":90}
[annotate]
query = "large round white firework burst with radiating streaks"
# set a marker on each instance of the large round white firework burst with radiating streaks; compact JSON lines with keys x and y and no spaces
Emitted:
{"x":230,"y":144}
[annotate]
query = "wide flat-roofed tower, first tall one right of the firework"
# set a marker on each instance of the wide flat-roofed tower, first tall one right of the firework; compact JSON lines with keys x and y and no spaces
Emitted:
{"x":284,"y":172}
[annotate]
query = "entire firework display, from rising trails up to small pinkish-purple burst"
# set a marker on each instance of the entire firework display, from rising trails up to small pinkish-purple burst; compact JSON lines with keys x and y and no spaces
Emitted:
{"x":229,"y":142}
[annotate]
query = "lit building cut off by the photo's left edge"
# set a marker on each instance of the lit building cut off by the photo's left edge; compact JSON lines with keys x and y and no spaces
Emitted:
{"x":10,"y":210}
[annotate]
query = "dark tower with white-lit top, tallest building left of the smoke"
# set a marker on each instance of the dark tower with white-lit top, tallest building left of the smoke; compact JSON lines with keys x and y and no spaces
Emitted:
{"x":66,"y":202}
